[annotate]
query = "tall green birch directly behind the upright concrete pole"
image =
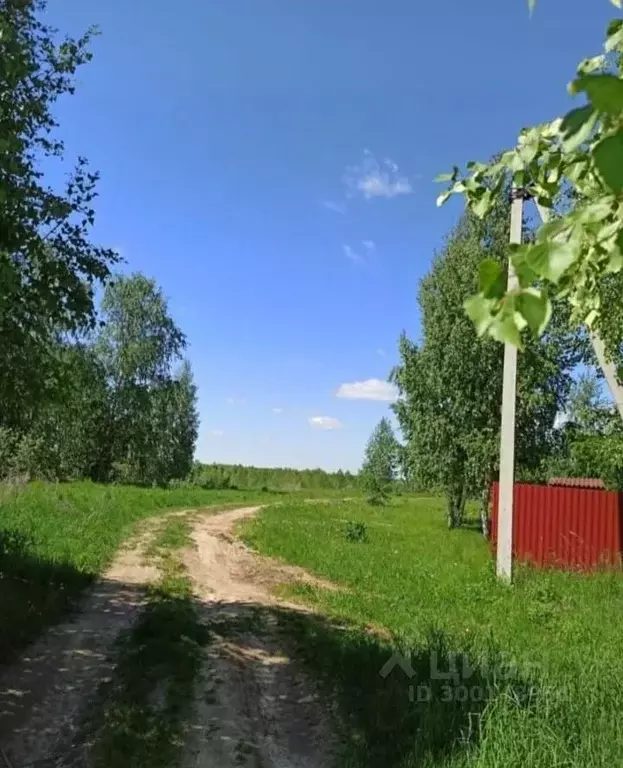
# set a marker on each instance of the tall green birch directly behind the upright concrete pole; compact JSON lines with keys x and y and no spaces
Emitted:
{"x":450,"y":385}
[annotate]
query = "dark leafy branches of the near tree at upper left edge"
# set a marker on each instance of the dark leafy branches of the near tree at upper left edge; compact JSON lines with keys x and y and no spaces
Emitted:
{"x":48,"y":266}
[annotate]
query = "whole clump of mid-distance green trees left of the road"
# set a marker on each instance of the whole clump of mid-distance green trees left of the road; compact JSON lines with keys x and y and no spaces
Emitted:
{"x":119,"y":408}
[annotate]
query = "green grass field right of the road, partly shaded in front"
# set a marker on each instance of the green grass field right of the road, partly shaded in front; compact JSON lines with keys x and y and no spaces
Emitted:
{"x":538,"y":666}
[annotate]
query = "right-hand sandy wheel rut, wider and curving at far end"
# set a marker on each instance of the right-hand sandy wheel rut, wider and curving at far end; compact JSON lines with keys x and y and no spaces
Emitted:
{"x":255,"y":708}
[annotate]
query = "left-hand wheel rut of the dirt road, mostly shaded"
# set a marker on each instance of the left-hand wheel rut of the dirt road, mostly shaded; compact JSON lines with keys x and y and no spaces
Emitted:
{"x":44,"y":695}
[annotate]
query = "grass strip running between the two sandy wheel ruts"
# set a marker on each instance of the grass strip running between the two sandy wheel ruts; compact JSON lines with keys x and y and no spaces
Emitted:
{"x":141,"y":718}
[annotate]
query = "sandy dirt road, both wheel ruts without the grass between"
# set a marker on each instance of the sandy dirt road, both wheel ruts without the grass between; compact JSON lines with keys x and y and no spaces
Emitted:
{"x":254,"y":707}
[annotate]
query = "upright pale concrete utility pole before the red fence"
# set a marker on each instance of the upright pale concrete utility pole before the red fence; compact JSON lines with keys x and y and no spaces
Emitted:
{"x":507,"y":432}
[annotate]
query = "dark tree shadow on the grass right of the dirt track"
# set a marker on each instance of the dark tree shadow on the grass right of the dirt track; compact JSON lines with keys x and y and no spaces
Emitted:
{"x":421,"y":712}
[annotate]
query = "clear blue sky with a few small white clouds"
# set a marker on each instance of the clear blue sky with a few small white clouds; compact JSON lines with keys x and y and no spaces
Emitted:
{"x":270,"y":164}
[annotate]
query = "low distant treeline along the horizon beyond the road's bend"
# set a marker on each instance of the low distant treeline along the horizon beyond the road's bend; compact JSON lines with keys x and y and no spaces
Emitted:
{"x":220,"y":476}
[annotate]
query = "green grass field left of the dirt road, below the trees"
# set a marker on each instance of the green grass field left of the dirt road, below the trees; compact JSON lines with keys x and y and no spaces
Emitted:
{"x":55,"y":538}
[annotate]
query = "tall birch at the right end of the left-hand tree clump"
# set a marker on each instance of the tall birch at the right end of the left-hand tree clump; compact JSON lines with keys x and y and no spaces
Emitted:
{"x":152,"y":424}
